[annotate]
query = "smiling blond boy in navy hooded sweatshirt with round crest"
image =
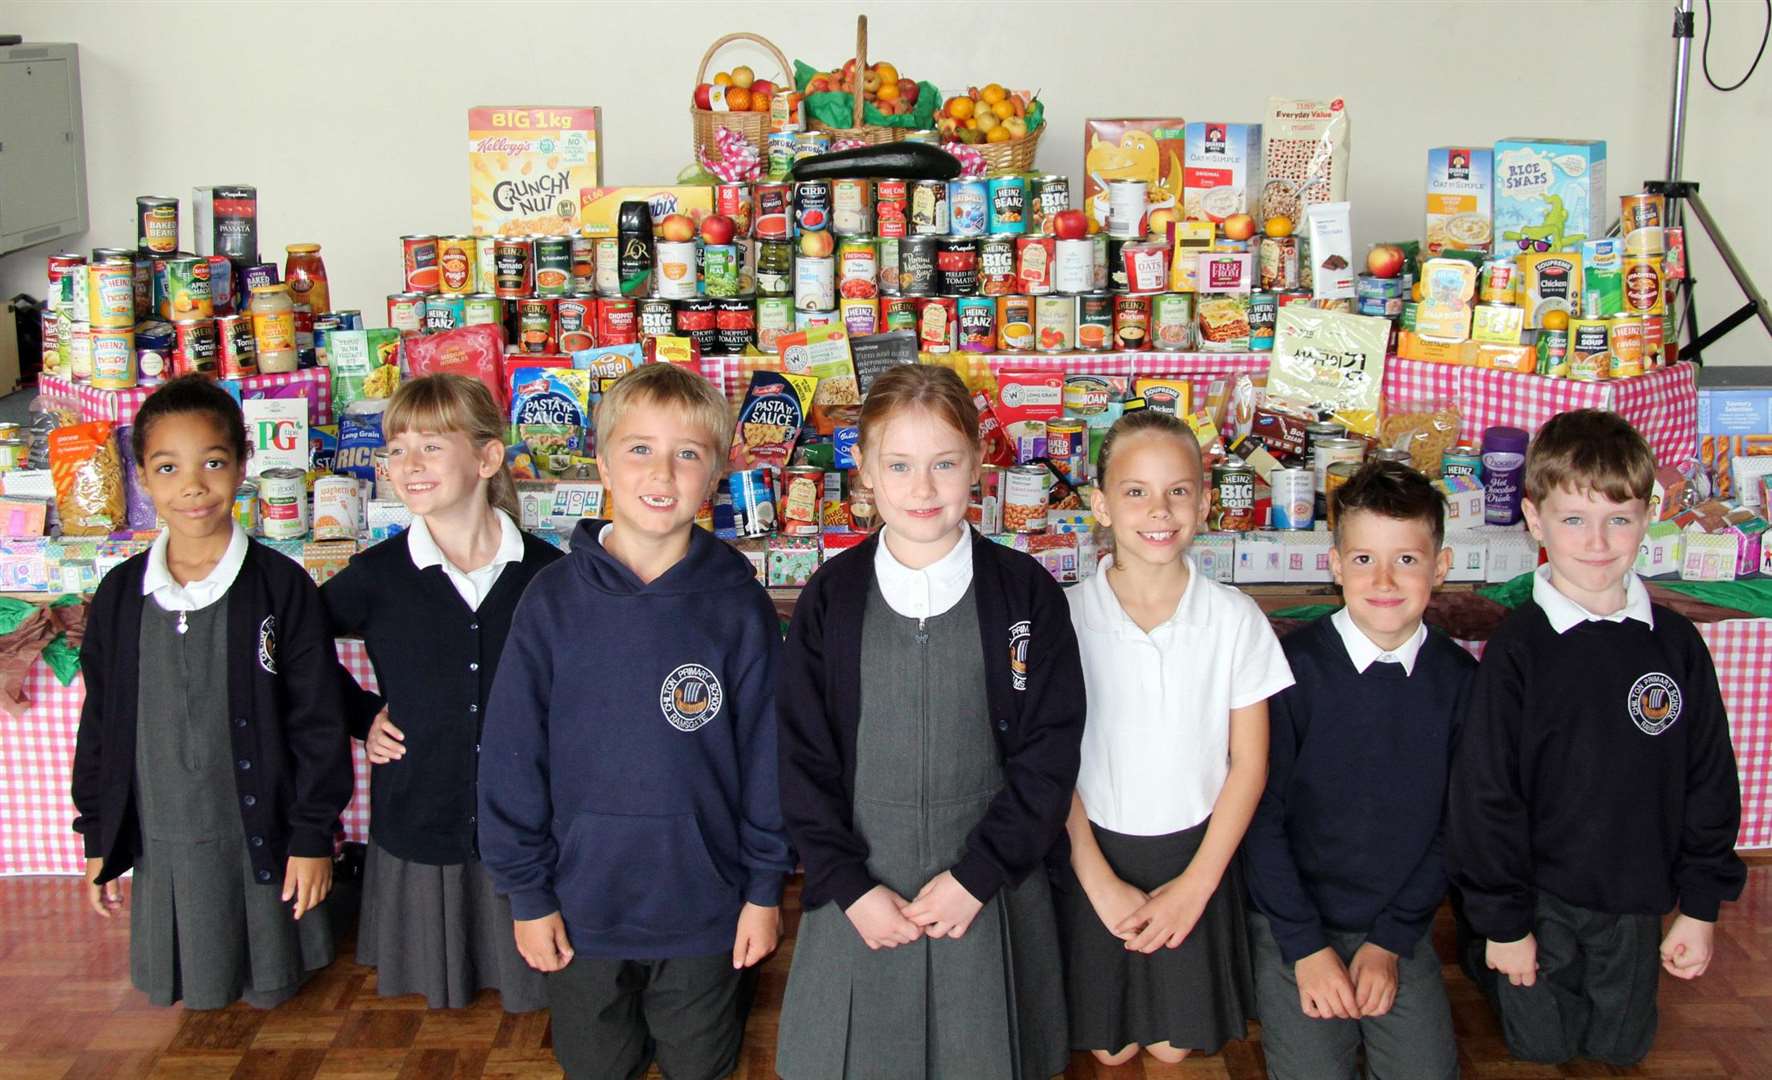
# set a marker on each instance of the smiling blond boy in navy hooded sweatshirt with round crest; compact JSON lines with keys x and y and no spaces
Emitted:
{"x":628,"y":778}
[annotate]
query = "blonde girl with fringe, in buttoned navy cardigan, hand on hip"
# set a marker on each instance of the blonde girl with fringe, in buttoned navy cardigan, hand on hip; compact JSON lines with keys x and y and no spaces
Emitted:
{"x":433,"y":607}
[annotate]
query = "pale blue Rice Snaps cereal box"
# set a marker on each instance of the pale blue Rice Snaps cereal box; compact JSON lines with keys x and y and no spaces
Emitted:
{"x":1550,"y":194}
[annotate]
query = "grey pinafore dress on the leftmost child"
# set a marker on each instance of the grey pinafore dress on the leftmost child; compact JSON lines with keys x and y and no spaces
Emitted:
{"x":201,"y":928}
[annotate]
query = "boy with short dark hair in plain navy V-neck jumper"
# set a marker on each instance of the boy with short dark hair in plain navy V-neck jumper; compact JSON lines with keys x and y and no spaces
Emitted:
{"x":1346,"y":850}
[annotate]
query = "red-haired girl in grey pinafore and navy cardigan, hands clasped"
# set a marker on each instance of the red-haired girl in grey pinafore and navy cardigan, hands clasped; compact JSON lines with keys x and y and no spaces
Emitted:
{"x":931,"y":710}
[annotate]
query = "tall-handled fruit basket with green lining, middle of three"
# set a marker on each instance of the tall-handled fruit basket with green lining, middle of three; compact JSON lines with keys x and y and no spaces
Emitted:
{"x":866,"y":102}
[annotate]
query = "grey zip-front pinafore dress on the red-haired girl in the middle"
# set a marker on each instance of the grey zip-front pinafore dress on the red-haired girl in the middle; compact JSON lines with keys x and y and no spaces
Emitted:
{"x":988,"y":1006}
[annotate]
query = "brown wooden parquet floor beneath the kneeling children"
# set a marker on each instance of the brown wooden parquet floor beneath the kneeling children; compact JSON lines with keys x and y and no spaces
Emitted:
{"x":68,"y":1013}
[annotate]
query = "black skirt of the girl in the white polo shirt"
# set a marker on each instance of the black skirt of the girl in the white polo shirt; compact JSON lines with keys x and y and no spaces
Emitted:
{"x":1193,"y":998}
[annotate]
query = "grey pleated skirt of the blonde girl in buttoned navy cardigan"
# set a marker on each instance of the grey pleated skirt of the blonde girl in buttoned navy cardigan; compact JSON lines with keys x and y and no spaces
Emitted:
{"x":442,"y":932}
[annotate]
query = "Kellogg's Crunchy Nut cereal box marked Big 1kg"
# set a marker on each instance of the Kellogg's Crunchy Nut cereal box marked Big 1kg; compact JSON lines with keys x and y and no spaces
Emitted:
{"x":527,"y":166}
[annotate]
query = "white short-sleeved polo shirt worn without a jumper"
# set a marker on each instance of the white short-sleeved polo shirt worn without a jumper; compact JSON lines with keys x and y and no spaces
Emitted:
{"x":1156,"y":746}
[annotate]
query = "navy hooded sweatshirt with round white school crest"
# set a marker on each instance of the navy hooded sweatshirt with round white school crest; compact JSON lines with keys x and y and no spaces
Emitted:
{"x":628,"y":772}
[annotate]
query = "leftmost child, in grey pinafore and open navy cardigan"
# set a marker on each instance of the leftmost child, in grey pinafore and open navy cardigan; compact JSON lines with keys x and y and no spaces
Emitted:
{"x":221,"y":776}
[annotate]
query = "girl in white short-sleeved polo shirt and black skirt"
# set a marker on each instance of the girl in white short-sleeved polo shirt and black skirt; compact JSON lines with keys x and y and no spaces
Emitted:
{"x":1177,"y":671}
